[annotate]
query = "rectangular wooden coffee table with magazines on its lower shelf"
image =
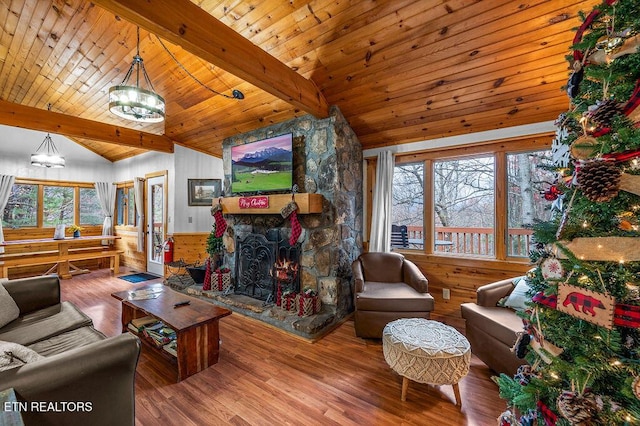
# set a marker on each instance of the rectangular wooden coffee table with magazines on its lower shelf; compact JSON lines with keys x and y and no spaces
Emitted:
{"x":195,"y":324}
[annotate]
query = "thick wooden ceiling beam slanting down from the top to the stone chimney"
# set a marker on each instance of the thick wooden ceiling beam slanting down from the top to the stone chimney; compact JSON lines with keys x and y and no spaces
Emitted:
{"x":187,"y":25}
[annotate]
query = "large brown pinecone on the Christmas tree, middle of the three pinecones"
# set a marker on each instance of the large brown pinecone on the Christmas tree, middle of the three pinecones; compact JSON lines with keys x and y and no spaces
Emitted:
{"x":599,"y":180}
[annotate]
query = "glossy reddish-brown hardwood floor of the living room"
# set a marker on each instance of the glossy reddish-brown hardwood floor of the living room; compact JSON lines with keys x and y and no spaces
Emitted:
{"x":269,"y":377}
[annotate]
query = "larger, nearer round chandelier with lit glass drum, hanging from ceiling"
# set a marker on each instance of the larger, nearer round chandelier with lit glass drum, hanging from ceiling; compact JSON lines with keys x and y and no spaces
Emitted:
{"x":134,"y":102}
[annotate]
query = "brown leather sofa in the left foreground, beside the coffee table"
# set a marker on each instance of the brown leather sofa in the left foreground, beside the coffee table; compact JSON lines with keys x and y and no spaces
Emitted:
{"x":82,"y":377}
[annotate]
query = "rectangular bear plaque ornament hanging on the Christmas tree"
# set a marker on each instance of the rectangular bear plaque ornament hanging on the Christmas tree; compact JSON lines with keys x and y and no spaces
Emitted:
{"x":586,"y":304}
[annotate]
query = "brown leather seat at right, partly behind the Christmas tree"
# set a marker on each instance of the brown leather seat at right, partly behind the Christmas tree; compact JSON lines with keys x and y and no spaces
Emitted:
{"x":493,"y":330}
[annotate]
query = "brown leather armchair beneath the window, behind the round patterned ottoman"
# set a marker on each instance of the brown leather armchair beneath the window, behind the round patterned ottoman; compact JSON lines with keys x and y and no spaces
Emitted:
{"x":387,"y":287}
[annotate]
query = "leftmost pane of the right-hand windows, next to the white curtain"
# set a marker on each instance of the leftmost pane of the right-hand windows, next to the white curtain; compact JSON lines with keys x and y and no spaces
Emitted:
{"x":407,"y":207}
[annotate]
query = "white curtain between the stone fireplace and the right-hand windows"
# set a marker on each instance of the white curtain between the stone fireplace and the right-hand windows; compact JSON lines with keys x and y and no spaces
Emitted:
{"x":380,"y":237}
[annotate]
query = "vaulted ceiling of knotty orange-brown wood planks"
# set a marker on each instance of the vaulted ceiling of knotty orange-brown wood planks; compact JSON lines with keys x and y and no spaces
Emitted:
{"x":400,"y":71}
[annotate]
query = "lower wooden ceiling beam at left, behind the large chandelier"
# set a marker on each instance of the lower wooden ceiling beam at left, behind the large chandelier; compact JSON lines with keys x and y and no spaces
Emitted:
{"x":46,"y":121}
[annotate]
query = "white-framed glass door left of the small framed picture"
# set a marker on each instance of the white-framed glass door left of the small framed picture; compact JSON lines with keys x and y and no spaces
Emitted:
{"x":155,"y":225}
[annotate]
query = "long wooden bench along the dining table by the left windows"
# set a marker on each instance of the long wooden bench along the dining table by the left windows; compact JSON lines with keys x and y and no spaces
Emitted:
{"x":62,"y":261}
